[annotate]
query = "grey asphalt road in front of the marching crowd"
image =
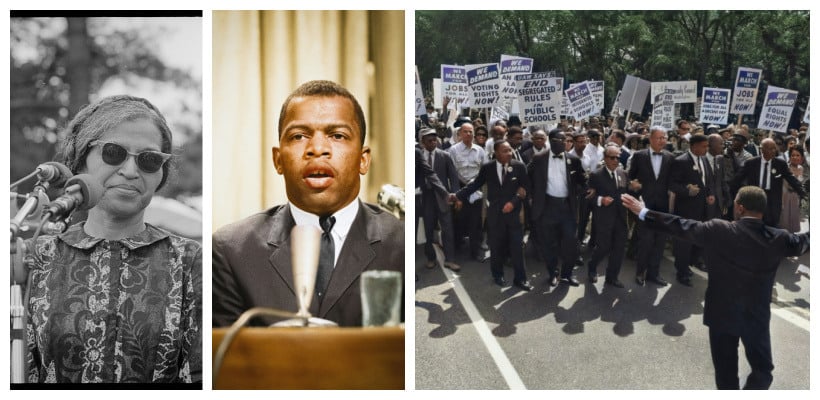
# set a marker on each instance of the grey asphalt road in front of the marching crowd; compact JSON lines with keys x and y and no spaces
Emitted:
{"x":472,"y":334}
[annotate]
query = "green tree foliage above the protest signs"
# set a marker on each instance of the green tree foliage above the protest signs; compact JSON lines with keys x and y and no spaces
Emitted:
{"x":707,"y":46}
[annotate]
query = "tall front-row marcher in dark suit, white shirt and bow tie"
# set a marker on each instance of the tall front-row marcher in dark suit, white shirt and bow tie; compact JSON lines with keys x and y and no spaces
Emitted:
{"x":649,"y":178}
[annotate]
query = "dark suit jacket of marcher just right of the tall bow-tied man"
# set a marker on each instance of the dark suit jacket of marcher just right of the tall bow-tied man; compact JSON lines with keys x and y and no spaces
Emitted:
{"x":683,"y":173}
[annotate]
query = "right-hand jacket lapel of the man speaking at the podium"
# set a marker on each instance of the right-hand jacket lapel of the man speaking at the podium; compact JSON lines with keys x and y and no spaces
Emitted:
{"x":354,"y":258}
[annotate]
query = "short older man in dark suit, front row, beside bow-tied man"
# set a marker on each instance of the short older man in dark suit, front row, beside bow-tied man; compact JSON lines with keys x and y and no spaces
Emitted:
{"x":609,"y":184}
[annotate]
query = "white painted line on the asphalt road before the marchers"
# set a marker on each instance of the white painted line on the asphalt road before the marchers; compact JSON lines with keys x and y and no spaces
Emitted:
{"x":501,"y":361}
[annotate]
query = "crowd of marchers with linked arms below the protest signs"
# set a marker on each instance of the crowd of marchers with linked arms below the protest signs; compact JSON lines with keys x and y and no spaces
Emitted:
{"x":552,"y":190}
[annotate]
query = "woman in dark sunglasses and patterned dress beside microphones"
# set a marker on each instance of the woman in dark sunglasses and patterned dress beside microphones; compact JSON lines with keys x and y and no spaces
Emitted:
{"x":114,"y":299}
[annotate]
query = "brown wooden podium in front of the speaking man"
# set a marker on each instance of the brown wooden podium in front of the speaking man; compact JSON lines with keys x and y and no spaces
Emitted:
{"x":312,"y":358}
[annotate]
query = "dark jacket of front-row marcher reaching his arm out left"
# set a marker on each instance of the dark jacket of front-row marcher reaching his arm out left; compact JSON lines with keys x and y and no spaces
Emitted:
{"x":499,"y":193}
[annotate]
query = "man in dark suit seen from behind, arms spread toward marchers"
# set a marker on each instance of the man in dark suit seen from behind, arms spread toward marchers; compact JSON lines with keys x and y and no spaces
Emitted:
{"x":743,"y":257}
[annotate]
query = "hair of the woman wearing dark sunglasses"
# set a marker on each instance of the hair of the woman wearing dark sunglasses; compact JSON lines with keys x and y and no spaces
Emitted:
{"x":97,"y":118}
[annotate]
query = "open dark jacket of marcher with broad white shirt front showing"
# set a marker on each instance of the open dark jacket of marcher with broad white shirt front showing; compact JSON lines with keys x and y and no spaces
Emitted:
{"x":538,"y":171}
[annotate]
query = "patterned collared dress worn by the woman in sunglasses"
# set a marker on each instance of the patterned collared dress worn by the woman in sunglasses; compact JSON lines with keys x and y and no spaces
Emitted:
{"x":105,"y":311}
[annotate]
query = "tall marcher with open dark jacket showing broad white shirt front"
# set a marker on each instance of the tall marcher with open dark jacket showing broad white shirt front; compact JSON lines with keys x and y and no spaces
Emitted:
{"x":557,"y":177}
